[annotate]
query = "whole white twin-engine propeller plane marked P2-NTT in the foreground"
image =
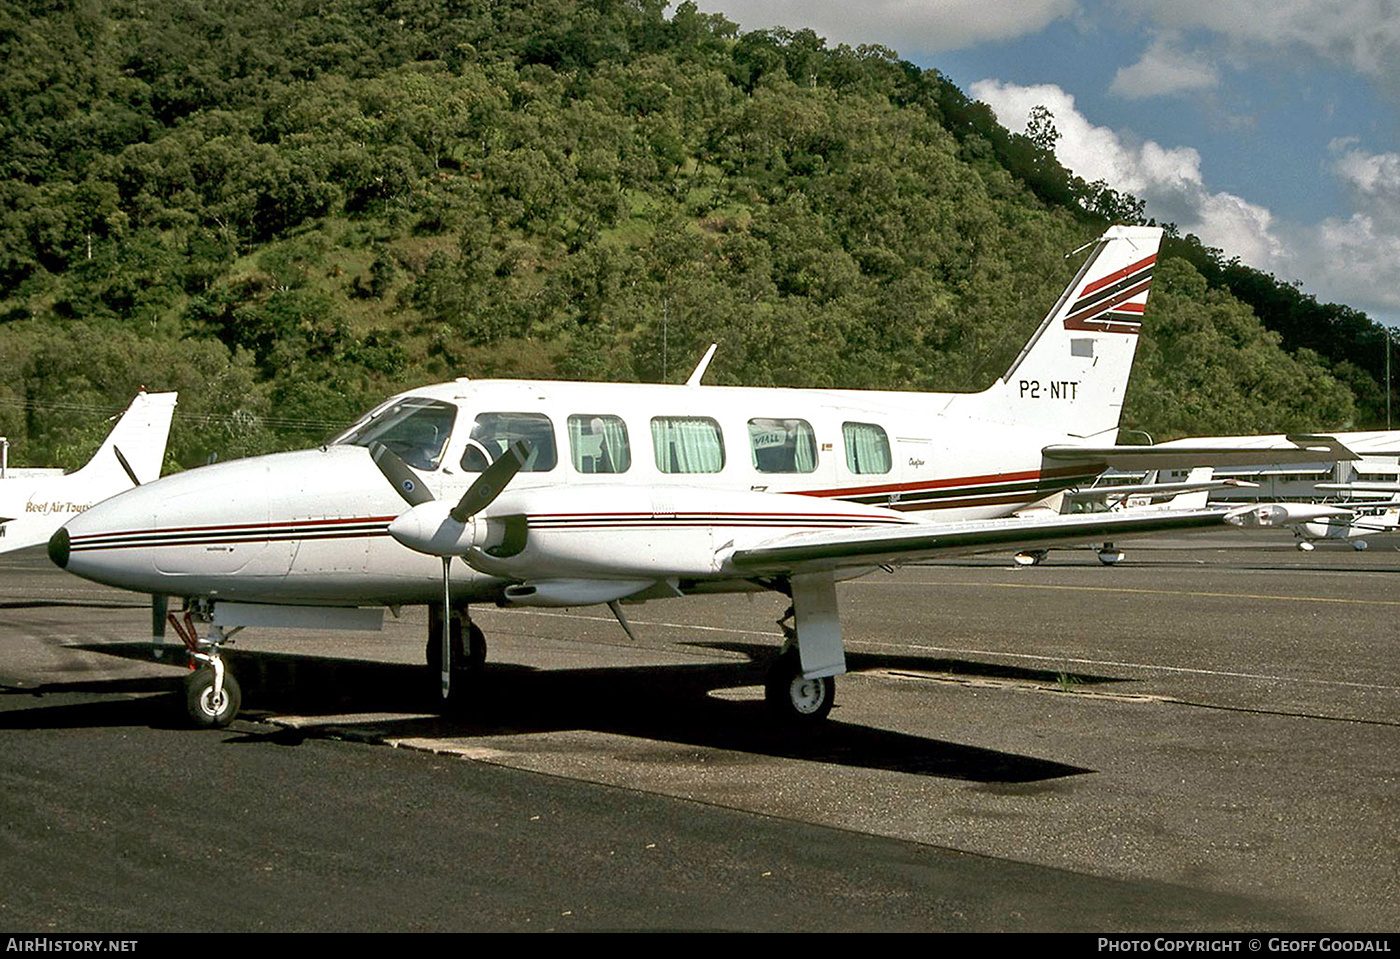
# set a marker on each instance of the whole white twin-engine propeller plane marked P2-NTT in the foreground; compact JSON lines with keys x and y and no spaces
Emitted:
{"x":530,"y":493}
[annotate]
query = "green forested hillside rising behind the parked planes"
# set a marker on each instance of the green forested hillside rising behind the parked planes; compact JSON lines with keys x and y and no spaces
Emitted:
{"x":289,"y":209}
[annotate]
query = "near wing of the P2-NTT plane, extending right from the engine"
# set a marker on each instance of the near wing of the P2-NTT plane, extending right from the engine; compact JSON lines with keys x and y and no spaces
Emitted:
{"x":807,"y":552}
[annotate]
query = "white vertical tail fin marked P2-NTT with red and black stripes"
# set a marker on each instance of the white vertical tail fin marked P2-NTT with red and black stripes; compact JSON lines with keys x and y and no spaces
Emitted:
{"x":1074,"y":372}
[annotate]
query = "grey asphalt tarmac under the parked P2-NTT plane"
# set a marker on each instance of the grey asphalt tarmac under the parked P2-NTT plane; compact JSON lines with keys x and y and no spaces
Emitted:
{"x":1198,"y":740}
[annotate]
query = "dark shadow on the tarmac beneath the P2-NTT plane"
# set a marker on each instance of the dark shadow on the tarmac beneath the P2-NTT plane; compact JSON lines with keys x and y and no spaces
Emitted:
{"x":663,"y":703}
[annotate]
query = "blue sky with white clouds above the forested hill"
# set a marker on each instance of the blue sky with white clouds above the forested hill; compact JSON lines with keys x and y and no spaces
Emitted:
{"x":1268,"y":128}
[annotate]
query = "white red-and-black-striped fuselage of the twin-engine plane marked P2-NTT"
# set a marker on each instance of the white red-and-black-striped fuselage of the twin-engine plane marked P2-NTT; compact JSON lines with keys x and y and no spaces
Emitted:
{"x":628,"y":484}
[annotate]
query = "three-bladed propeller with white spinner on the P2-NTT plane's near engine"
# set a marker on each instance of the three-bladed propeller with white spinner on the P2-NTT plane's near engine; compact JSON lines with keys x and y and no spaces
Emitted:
{"x":426,"y":530}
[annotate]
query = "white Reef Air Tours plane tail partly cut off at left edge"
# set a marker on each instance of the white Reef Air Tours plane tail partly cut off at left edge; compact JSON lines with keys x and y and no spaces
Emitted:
{"x":37,"y":502}
